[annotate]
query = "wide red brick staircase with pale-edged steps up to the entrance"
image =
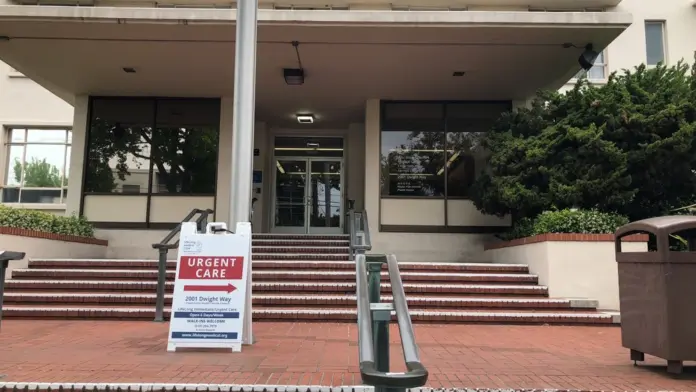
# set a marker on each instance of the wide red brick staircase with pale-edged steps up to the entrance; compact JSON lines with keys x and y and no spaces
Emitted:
{"x":296,"y":278}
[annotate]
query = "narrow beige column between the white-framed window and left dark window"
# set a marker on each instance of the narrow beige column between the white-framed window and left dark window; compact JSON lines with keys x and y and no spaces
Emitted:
{"x":77,"y":157}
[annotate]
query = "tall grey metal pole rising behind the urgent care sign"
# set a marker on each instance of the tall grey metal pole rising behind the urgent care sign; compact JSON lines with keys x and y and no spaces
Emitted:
{"x":244,"y":111}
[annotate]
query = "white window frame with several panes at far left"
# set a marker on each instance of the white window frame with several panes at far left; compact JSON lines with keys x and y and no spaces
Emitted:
{"x":7,"y":145}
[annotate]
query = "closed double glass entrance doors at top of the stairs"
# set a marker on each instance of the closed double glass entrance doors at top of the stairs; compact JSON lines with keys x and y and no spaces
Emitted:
{"x":308,"y":196}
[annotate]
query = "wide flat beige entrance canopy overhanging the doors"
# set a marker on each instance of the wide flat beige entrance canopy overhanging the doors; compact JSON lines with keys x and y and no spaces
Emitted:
{"x":348,"y":56}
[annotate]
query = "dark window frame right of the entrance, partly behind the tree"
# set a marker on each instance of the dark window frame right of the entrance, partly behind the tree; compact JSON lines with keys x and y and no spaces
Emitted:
{"x":445,"y":131}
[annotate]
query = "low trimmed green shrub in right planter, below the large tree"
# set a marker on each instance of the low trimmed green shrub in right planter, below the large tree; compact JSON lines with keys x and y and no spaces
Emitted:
{"x":567,"y":221}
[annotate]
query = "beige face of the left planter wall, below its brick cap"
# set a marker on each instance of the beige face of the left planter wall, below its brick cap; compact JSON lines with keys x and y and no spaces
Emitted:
{"x":36,"y":248}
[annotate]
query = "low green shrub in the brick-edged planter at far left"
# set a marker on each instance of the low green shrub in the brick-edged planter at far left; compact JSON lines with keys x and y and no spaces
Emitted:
{"x":43,"y":221}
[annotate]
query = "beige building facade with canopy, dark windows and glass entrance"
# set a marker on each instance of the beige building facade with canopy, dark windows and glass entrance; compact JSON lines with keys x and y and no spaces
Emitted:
{"x":383,"y":115}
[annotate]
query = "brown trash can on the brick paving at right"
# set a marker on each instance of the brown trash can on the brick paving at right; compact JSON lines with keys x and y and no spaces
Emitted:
{"x":657,"y":292}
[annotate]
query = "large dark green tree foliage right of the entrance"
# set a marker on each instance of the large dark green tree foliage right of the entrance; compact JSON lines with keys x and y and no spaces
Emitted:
{"x":625,"y":147}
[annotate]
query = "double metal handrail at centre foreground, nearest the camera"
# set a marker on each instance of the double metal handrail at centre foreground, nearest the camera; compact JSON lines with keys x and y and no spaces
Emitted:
{"x":374,"y":370}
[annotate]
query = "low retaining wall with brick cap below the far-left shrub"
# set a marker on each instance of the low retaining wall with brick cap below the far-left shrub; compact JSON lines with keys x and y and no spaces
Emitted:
{"x":39,"y":244}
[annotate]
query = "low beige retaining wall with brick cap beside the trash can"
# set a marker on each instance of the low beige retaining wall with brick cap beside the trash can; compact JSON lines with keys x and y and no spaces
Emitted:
{"x":571,"y":265}
